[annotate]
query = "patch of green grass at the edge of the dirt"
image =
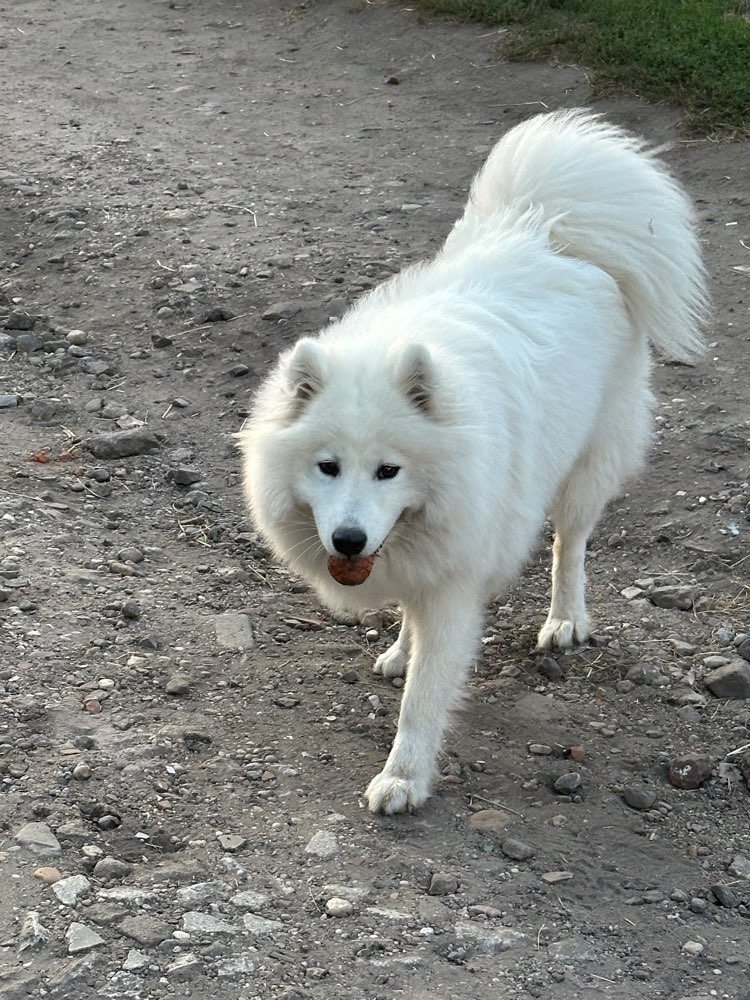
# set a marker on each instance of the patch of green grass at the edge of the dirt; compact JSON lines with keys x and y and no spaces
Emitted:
{"x":693,"y":52}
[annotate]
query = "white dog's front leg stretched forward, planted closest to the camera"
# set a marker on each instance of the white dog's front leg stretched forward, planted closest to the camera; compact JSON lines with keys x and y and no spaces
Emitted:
{"x":445,"y":628}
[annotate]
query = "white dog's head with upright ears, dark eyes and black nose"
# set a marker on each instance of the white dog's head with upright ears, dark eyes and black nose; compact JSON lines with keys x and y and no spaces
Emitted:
{"x":356,"y":438}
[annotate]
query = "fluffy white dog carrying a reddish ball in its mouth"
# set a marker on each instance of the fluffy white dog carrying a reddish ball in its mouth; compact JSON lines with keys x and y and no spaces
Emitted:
{"x":410,"y":453}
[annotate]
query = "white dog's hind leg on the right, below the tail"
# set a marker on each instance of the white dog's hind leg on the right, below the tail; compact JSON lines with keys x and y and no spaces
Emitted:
{"x":614,"y":451}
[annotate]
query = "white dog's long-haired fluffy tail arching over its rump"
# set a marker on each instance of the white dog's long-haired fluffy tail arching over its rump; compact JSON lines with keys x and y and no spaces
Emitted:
{"x":605,"y":199}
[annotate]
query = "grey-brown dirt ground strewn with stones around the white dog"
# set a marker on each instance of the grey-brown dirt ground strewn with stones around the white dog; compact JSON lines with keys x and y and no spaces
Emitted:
{"x":185,"y":733}
